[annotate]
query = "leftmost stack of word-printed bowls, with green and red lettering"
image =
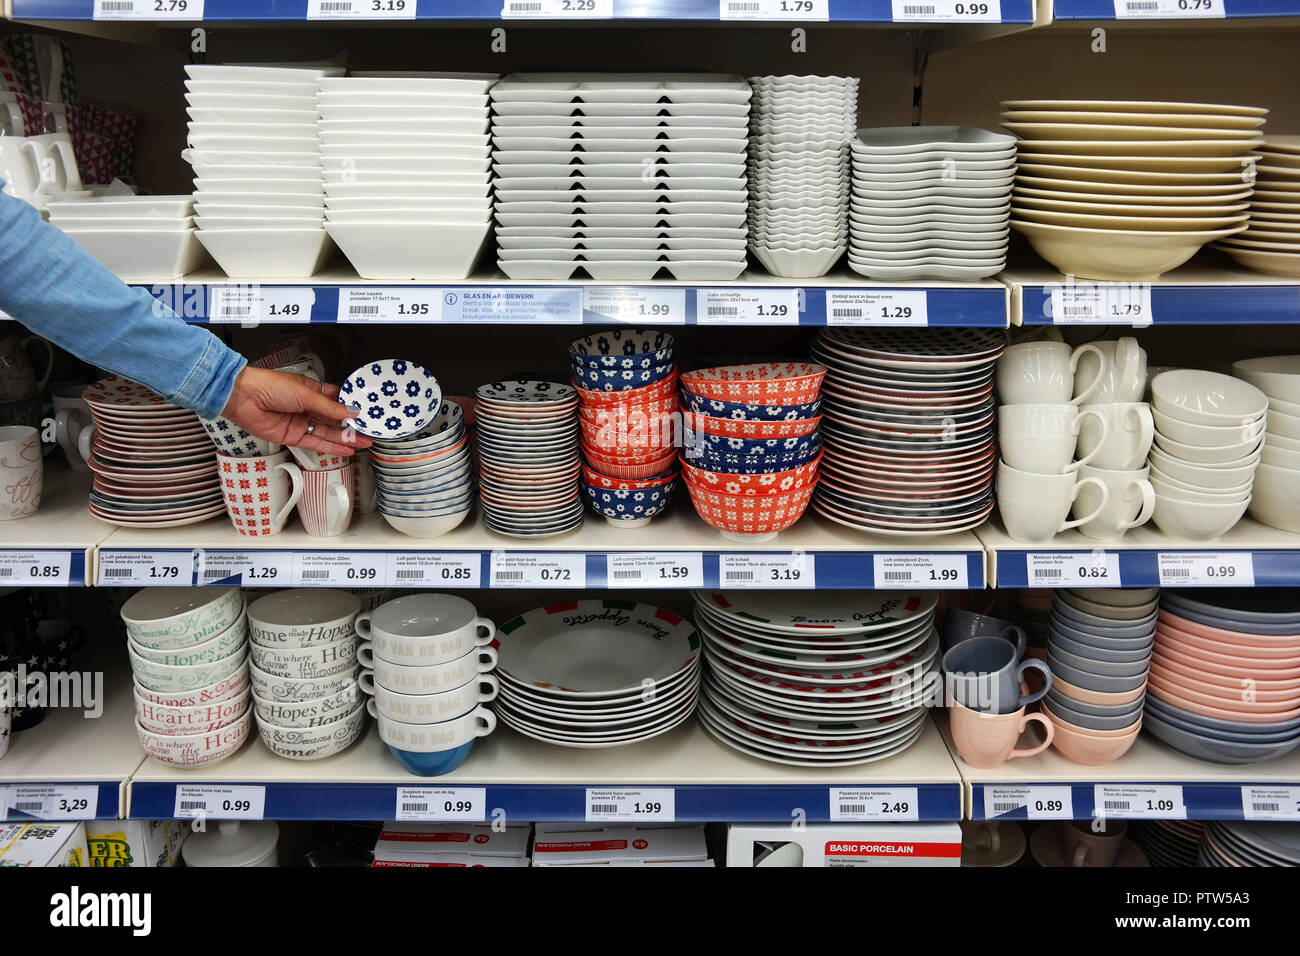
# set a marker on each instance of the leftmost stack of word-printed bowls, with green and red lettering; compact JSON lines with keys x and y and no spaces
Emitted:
{"x":189,"y":656}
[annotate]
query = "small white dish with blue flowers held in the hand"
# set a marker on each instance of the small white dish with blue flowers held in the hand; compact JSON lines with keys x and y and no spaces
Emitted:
{"x":398,"y":399}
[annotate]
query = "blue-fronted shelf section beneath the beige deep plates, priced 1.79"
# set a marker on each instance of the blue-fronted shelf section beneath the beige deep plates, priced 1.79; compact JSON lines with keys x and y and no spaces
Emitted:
{"x":1211,"y":291}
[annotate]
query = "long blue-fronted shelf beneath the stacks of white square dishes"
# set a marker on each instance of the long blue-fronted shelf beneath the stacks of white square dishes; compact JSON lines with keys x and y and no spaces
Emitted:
{"x":340,"y":296}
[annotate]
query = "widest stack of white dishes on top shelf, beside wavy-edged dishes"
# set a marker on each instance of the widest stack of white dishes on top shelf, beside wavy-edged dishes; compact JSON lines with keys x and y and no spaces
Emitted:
{"x":621,"y":175}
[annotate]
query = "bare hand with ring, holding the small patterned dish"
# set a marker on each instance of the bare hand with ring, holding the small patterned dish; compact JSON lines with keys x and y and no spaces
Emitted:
{"x":280,"y":408}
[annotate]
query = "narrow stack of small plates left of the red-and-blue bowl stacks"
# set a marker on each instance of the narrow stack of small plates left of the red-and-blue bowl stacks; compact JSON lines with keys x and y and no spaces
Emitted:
{"x":528,"y":461}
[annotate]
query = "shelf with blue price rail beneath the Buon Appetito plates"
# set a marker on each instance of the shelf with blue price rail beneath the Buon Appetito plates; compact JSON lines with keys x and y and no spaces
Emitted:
{"x":527,"y":780}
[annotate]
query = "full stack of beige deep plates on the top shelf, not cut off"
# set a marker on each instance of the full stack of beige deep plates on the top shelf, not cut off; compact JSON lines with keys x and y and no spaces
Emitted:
{"x":1129,"y":191}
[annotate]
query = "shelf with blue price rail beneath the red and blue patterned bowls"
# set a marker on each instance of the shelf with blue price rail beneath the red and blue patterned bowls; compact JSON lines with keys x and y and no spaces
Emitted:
{"x":812,"y":555}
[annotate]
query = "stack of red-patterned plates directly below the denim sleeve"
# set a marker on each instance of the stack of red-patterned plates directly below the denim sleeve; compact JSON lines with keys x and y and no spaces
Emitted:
{"x":153,"y":461}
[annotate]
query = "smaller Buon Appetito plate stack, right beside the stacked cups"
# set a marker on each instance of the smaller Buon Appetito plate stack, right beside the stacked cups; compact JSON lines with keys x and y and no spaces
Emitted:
{"x":596,"y":674}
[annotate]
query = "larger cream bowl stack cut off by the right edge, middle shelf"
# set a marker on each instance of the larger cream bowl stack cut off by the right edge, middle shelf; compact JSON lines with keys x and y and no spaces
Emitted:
{"x":1277,"y":481}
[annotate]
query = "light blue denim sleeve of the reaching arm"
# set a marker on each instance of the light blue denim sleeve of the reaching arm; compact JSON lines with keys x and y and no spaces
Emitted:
{"x":60,"y":292}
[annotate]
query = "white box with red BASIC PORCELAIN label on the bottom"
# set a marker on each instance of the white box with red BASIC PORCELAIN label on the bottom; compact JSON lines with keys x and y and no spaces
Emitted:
{"x":844,"y":845}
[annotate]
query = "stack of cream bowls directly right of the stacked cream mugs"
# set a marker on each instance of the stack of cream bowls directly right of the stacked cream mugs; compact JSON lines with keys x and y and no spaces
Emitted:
{"x":1210,"y":429}
